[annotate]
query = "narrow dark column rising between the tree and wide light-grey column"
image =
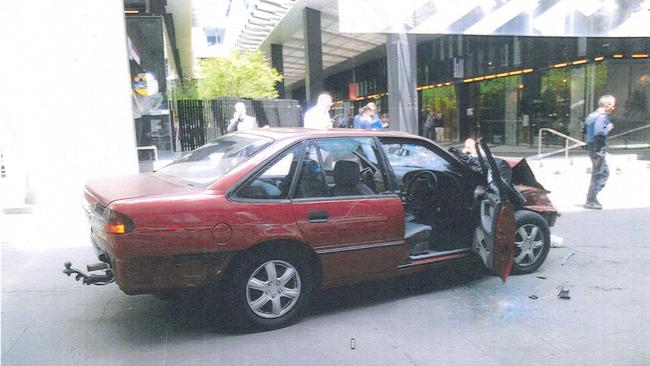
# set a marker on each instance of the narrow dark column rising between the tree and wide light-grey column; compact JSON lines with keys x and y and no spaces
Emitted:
{"x":313,"y":55}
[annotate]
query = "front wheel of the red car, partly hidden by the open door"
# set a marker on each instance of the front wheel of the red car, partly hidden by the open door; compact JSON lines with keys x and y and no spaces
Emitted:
{"x":532,"y":242}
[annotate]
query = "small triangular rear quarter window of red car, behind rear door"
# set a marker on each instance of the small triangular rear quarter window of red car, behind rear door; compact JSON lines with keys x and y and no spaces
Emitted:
{"x":274,"y":181}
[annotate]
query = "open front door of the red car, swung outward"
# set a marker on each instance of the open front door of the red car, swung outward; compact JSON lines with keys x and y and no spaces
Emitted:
{"x":494,"y":238}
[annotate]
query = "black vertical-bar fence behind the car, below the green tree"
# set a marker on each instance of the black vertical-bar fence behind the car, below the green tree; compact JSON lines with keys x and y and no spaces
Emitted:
{"x":202,"y":121}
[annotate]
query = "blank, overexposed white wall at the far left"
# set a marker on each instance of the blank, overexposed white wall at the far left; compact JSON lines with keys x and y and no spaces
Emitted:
{"x":65,"y":98}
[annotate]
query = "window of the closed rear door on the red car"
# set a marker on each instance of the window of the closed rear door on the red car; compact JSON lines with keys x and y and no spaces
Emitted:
{"x":348,"y":167}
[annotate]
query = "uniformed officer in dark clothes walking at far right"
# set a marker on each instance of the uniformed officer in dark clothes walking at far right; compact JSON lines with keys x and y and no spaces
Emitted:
{"x":597,"y":127}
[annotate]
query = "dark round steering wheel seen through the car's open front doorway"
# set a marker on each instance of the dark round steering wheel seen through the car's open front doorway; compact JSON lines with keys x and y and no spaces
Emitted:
{"x":420,"y":190}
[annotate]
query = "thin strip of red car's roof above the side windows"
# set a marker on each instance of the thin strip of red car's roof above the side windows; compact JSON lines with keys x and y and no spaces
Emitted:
{"x":298,"y":133}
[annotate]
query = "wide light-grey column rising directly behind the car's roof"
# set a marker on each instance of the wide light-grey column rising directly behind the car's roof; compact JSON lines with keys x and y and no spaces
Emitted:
{"x":402,"y":82}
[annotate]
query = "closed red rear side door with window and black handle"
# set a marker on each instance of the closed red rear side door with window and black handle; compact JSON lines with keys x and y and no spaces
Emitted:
{"x":355,"y":233}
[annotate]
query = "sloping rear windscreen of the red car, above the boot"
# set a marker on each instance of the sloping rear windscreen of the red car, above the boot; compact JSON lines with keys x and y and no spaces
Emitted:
{"x":210,"y":162}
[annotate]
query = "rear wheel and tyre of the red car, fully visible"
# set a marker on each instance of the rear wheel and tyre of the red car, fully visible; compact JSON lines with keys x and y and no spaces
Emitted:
{"x":263,"y":300}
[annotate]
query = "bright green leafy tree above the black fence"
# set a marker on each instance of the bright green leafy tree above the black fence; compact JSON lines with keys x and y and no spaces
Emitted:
{"x":242,"y":74}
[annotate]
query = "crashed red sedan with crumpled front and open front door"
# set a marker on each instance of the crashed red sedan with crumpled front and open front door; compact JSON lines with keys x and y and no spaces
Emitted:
{"x":273,"y":214}
